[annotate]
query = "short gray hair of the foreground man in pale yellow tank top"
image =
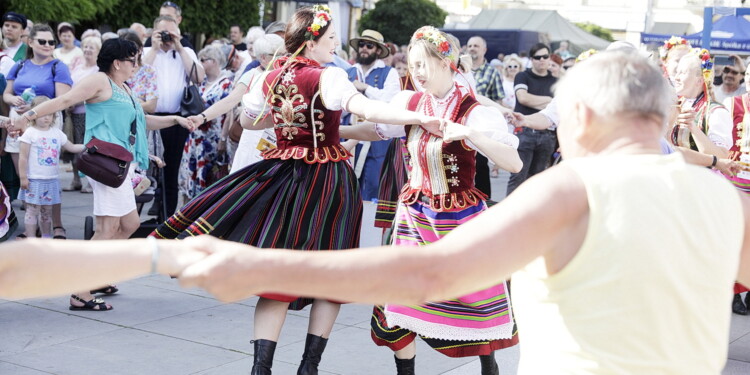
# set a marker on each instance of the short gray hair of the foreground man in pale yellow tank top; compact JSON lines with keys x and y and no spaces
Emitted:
{"x":616,"y":83}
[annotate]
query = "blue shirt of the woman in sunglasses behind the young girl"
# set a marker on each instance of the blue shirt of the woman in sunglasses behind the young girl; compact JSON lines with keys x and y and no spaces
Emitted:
{"x":40,"y":76}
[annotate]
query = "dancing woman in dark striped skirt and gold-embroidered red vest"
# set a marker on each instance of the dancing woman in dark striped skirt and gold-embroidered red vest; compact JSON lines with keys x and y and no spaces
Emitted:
{"x":304,"y":195}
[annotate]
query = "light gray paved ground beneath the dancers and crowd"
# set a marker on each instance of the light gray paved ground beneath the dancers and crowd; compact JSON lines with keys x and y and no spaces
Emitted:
{"x":159,"y":328}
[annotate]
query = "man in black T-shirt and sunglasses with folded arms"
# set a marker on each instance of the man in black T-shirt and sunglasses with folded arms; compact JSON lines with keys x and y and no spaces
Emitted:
{"x":533,"y":92}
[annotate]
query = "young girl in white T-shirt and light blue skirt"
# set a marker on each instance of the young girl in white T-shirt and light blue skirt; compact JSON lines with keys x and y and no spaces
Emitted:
{"x":38,"y":170}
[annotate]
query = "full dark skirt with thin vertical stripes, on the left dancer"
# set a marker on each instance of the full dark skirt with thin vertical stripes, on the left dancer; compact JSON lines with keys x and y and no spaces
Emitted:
{"x":275,"y":203}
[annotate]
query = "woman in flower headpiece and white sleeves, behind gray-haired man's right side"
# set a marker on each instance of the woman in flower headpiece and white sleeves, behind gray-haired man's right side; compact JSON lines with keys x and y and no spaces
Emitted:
{"x":702,"y":124}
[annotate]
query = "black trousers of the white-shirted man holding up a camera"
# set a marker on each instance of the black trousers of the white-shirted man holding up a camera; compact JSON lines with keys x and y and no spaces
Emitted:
{"x":173,"y":139}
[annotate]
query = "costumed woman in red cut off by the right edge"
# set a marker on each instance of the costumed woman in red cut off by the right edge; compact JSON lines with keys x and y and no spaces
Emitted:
{"x":739,"y":107}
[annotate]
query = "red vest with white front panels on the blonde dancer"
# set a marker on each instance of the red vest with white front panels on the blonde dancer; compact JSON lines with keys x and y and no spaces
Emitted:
{"x":442,"y":174}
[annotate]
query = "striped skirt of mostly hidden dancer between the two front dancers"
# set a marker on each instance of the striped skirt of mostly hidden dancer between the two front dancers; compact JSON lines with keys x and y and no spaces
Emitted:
{"x":393,"y":176}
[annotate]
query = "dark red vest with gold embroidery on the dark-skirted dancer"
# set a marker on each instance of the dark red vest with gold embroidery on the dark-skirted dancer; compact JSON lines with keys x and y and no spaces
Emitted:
{"x":305,"y":128}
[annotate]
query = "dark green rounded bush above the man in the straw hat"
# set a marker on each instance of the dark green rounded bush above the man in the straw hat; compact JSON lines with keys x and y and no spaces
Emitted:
{"x":398,"y":19}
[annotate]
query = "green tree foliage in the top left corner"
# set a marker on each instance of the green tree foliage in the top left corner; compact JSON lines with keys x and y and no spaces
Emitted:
{"x":57,"y":10}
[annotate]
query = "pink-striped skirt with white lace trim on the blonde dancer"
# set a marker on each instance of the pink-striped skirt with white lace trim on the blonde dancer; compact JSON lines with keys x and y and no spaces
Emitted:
{"x":472,"y":325}
